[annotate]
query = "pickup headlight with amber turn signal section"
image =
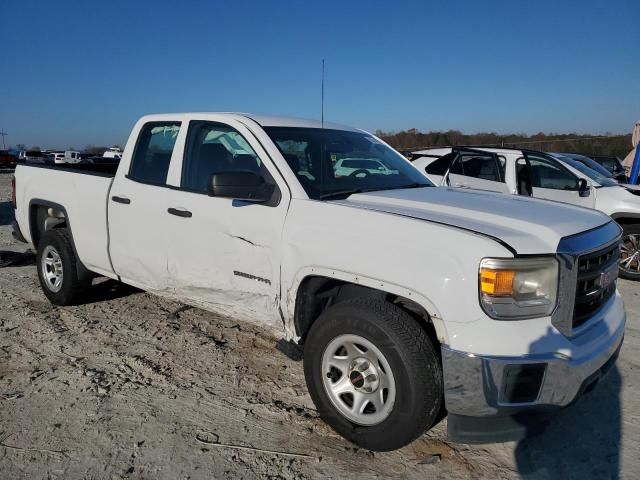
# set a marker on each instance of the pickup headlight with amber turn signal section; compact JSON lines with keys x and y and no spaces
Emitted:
{"x":517,"y":288}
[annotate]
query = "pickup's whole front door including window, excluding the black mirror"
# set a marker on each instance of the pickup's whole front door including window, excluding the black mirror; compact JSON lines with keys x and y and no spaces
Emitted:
{"x":223,"y":253}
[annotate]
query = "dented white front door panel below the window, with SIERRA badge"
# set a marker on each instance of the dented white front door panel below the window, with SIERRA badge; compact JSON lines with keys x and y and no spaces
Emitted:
{"x":226,"y":256}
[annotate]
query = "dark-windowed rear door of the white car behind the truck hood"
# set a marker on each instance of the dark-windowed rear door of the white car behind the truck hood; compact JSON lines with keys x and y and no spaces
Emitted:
{"x":478,"y":170}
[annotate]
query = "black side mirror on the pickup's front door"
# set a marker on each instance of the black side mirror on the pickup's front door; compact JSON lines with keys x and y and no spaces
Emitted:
{"x":240,"y":185}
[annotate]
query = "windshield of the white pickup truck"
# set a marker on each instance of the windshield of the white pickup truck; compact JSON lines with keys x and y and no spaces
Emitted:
{"x":334,"y":163}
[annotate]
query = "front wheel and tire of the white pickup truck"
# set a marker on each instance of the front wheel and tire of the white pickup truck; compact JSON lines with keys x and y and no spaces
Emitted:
{"x":413,"y":403}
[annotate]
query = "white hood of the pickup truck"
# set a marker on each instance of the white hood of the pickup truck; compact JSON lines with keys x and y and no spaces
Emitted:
{"x":527,"y":226}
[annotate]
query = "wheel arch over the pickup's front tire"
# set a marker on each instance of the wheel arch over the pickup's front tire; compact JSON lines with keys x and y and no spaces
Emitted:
{"x":318,"y":289}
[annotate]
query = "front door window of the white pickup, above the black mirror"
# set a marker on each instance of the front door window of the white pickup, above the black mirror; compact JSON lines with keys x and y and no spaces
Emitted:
{"x":215,"y":148}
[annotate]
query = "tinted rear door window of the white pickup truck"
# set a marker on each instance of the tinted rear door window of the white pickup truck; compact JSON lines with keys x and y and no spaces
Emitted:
{"x":150,"y":162}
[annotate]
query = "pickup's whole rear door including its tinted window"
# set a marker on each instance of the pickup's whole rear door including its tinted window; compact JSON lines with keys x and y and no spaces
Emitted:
{"x":137,"y":208}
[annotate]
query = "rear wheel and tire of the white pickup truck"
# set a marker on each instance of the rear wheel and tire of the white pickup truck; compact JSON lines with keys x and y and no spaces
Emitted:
{"x":55,"y":261}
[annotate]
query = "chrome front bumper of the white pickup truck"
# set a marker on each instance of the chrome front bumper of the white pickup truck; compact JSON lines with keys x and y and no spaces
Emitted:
{"x":484,"y":394}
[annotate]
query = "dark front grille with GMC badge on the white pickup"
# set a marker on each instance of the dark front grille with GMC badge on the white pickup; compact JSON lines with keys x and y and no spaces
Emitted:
{"x":596,"y":282}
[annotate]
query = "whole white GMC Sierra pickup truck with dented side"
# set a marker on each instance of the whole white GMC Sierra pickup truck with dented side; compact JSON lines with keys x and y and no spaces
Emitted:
{"x":409,"y":301}
